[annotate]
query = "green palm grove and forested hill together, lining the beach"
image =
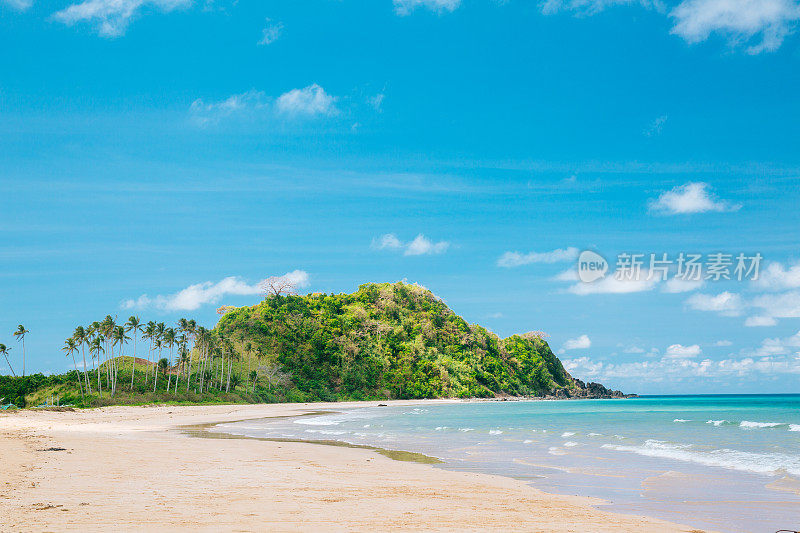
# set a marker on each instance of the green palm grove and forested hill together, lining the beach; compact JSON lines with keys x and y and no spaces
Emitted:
{"x":383,"y":341}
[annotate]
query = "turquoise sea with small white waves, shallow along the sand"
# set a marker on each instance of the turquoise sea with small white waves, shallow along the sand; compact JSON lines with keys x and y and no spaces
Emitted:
{"x":728,"y":463}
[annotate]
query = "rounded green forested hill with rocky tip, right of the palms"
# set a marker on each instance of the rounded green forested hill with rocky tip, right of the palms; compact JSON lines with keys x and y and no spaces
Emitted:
{"x":393,"y":341}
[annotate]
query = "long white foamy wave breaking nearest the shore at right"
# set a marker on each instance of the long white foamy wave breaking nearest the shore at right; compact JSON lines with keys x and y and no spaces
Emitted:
{"x":757,"y":463}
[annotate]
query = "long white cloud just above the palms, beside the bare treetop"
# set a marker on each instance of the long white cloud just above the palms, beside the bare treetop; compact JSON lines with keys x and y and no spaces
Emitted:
{"x":207,"y":292}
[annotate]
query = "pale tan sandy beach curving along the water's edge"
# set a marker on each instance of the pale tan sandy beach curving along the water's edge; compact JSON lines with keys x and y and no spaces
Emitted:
{"x":138,"y":468}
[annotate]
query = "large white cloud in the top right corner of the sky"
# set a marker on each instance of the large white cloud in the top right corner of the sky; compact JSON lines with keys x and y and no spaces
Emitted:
{"x":761,"y":24}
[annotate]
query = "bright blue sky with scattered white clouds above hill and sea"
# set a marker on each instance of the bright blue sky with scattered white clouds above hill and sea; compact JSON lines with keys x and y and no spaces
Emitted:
{"x":161,"y":157}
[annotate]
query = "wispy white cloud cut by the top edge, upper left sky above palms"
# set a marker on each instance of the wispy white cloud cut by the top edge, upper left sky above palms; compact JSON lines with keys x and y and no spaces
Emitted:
{"x":111,"y":17}
